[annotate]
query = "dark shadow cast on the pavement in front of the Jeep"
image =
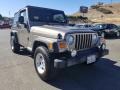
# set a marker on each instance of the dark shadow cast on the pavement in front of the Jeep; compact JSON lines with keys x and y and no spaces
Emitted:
{"x":104,"y":75}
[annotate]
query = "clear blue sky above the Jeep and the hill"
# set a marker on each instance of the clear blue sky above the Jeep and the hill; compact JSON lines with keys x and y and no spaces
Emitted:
{"x":9,"y":7}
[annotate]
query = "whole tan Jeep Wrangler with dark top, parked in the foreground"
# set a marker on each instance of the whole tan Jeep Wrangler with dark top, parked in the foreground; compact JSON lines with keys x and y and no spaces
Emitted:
{"x":52,"y":42}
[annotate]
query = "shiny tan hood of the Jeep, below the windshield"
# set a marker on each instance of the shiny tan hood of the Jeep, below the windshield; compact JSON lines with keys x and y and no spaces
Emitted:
{"x":52,"y":31}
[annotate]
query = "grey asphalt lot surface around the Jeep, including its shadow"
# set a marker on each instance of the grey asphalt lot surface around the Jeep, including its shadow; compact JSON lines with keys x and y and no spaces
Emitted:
{"x":17,"y":71}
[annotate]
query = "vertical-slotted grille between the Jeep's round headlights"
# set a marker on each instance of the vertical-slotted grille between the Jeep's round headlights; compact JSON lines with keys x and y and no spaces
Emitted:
{"x":83,"y":41}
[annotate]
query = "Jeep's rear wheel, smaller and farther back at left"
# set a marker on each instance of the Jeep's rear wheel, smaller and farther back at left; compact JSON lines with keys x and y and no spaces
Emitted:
{"x":15,"y":47}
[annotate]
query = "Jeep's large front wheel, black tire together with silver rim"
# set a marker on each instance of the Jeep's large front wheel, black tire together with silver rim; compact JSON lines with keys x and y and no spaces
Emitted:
{"x":43,"y":64}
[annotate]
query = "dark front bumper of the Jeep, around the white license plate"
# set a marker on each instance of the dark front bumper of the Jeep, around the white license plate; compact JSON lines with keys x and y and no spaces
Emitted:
{"x":81,"y":57}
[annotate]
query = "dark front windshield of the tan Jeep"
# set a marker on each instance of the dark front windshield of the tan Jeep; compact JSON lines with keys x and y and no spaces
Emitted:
{"x":46,"y":15}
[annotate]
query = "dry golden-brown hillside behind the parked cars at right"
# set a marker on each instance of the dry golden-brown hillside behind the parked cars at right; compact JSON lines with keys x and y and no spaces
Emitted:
{"x":97,"y":14}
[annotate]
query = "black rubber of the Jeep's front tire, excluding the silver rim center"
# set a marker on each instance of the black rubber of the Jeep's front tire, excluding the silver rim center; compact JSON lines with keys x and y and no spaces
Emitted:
{"x":49,"y":72}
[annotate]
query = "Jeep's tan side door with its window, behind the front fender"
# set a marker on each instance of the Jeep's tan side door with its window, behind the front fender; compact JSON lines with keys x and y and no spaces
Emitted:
{"x":23,"y":31}
